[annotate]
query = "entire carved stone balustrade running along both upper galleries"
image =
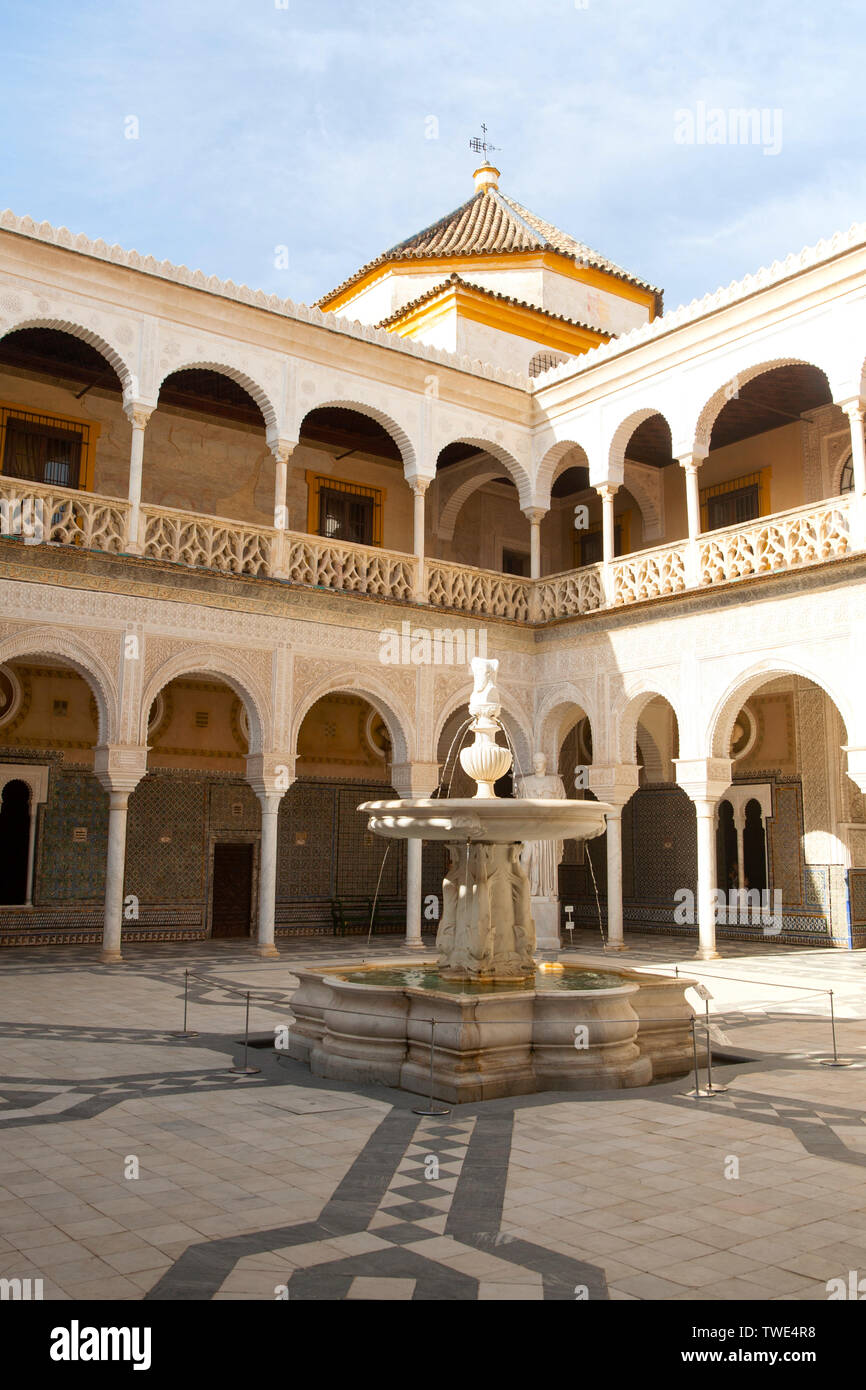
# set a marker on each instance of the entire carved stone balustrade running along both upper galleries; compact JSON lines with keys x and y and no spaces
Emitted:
{"x":34,"y":514}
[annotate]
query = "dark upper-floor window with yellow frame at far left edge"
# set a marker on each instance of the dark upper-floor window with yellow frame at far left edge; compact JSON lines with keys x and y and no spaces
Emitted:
{"x":48,"y":450}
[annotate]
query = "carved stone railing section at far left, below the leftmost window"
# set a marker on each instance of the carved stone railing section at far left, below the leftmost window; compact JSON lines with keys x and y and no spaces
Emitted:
{"x":60,"y":516}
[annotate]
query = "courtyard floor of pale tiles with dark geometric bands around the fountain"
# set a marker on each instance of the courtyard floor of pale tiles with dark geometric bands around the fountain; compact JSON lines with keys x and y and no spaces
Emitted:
{"x":279,"y":1184}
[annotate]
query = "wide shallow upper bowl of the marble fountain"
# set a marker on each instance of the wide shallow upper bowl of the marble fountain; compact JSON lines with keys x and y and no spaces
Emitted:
{"x":494,"y":821}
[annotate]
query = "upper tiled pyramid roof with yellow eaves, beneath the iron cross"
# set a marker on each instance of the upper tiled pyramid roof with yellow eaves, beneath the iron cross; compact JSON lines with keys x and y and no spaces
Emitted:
{"x":493,"y":224}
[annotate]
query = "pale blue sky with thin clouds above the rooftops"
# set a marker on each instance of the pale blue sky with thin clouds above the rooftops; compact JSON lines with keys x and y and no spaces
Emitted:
{"x":268,"y":124}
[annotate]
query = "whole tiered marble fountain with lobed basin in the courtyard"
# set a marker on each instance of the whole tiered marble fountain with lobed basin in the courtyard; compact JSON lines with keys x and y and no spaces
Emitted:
{"x":503,"y":1022}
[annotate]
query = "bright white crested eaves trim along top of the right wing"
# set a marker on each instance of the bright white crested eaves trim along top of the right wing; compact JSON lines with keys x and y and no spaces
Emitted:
{"x":722,"y":298}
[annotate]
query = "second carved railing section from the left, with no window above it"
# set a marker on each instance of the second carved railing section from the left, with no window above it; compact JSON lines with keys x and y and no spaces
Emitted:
{"x":206,"y":543}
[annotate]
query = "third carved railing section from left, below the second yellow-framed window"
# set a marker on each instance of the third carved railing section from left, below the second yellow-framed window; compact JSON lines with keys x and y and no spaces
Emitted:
{"x":351,"y":569}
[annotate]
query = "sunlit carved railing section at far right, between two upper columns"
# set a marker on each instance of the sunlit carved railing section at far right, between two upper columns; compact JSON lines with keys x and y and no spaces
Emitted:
{"x":806,"y":536}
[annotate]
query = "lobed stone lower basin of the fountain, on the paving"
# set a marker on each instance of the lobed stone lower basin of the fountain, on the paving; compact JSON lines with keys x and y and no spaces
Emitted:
{"x":493,"y":1039}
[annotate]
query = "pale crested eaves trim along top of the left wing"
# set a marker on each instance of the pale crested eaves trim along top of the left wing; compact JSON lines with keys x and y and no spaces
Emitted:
{"x":258,"y":298}
